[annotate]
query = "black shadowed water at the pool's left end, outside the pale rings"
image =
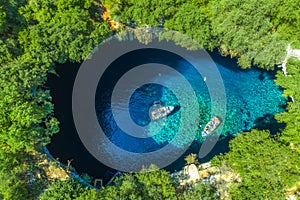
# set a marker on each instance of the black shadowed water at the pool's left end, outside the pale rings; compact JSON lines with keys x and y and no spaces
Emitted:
{"x":66,"y":145}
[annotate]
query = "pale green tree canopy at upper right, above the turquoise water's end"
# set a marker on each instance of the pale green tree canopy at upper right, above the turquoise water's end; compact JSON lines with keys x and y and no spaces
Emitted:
{"x":245,"y":30}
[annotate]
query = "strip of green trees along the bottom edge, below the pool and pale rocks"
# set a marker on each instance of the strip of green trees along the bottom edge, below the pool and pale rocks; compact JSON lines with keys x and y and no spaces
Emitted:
{"x":152,"y":185}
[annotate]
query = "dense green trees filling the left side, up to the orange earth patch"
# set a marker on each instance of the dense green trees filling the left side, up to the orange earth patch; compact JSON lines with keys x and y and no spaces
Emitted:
{"x":34,"y":35}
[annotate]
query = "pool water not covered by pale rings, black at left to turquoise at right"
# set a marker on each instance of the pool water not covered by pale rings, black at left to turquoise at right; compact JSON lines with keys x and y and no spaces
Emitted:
{"x":252,"y":101}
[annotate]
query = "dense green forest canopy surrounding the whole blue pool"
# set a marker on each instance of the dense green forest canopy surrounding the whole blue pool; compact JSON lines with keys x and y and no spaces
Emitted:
{"x":34,"y":35}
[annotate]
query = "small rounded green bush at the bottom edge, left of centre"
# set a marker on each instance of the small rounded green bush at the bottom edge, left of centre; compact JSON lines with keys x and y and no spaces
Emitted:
{"x":63,"y":190}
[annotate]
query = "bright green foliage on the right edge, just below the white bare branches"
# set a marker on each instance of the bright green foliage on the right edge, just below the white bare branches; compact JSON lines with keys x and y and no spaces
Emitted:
{"x":291,"y":118}
